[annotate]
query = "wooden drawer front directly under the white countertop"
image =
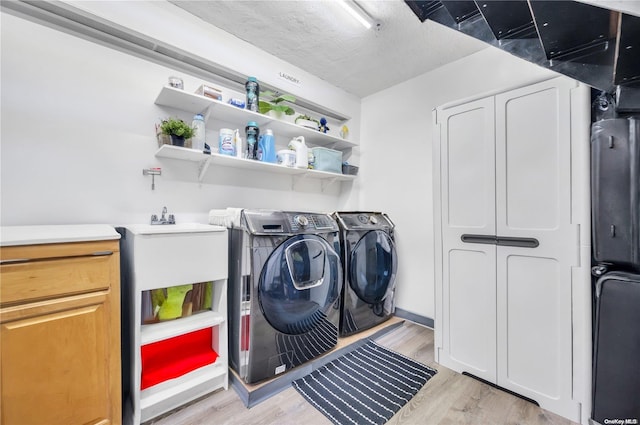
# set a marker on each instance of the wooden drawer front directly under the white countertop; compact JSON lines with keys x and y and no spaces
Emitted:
{"x":52,"y":278}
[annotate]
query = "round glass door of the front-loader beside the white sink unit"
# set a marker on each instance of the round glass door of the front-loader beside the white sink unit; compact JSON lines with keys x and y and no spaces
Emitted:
{"x":299,"y":283}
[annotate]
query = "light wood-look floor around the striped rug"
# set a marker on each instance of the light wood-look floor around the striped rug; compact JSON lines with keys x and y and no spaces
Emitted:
{"x":449,"y":398}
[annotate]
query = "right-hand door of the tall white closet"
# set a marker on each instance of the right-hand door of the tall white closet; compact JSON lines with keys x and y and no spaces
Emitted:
{"x":533,"y":200}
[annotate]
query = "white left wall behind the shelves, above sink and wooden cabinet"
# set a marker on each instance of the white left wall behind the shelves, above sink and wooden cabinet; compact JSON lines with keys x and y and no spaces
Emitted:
{"x":78,"y":129}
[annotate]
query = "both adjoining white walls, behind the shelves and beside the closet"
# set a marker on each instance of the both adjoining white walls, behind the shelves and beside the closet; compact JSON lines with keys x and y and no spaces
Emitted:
{"x":78,"y":128}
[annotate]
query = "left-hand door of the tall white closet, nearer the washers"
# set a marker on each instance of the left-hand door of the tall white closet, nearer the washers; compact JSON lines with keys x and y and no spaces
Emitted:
{"x":468,"y":269}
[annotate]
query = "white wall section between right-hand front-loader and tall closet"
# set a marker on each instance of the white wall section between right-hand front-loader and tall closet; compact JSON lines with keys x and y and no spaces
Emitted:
{"x":396,"y":157}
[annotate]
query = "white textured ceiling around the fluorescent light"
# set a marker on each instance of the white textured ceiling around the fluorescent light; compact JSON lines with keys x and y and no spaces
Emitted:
{"x":322,"y":39}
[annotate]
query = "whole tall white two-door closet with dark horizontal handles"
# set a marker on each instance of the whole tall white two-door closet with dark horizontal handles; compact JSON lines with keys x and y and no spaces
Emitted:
{"x":512,"y":259}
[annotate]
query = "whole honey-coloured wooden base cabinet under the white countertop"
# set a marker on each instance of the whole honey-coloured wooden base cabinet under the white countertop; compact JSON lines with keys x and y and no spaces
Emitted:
{"x":60,"y":333}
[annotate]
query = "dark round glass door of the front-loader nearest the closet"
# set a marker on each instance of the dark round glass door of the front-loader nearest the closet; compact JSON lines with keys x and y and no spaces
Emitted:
{"x":373,"y":267}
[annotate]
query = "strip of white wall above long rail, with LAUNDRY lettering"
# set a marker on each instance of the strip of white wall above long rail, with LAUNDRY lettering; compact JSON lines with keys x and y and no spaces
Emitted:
{"x":167,"y":23}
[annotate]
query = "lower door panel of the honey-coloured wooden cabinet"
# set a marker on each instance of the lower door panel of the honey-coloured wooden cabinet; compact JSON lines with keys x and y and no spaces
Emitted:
{"x":54,"y":362}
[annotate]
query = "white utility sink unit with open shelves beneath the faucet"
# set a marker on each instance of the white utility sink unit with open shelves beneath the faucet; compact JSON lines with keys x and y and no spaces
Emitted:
{"x":165,"y":256}
